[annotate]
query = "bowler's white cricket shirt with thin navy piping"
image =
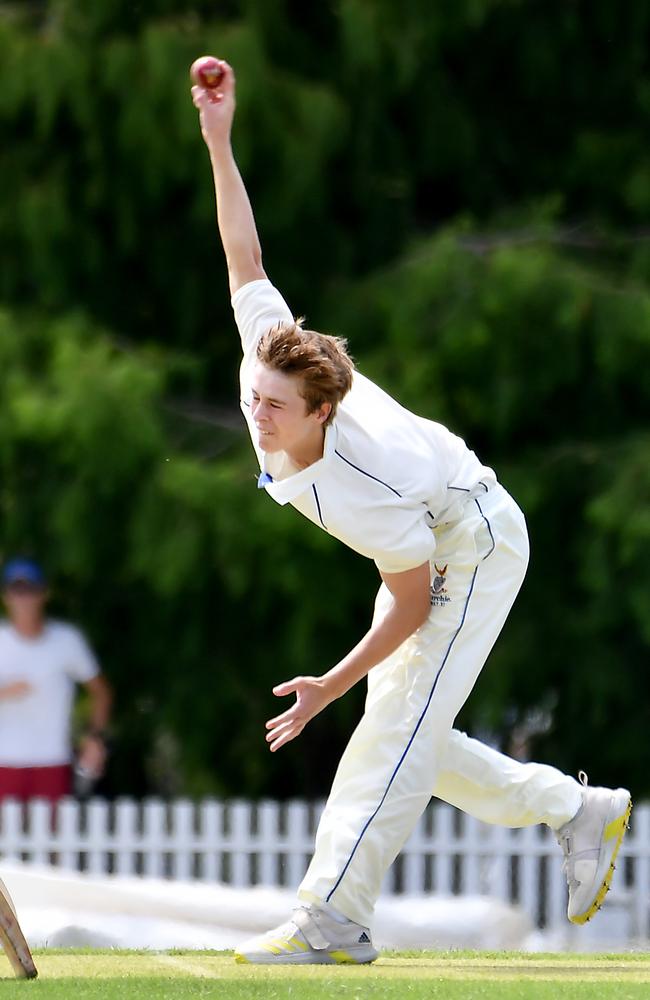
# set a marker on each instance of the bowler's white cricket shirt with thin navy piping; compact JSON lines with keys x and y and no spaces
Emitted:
{"x":387,"y":476}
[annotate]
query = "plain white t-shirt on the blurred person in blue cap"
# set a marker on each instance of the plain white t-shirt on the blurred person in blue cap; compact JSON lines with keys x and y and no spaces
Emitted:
{"x":35,"y":728}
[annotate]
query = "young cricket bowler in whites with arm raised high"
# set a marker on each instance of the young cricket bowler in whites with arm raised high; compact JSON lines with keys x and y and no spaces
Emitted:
{"x":451,"y":548}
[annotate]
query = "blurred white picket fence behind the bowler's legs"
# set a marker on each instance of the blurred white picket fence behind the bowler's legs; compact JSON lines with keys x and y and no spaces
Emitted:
{"x":245,"y":843}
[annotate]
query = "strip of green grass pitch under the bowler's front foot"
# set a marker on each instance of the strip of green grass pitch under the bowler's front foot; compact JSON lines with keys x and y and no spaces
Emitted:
{"x":113,"y":975}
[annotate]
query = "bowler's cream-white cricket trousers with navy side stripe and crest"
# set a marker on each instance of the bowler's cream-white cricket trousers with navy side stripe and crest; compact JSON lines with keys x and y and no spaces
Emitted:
{"x":405,"y":749}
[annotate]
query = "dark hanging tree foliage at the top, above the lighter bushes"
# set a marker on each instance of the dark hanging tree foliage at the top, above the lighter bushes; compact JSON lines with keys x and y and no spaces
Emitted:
{"x":358,"y":124}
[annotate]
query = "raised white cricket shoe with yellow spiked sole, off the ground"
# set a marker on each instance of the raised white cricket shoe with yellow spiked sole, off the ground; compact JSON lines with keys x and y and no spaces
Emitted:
{"x":590,"y":842}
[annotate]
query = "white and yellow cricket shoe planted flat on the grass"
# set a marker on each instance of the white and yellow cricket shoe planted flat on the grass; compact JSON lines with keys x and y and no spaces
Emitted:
{"x":311,"y":937}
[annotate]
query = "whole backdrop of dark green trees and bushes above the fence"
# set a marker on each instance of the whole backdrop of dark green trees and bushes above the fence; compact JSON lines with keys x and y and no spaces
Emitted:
{"x":461,"y":189}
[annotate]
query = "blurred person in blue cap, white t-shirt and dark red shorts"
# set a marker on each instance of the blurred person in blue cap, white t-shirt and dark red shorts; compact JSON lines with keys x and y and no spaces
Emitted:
{"x":41,"y":662}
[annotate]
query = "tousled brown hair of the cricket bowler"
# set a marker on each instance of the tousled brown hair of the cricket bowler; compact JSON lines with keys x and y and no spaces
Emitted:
{"x":320,"y":361}
